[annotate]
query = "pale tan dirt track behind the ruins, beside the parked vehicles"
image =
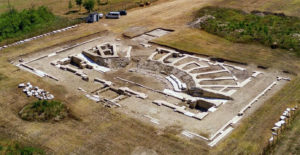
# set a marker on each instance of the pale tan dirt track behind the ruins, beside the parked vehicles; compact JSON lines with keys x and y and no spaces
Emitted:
{"x":174,"y":14}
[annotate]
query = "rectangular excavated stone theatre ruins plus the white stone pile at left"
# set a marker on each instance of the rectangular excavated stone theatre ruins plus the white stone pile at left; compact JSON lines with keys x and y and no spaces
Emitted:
{"x":158,"y":85}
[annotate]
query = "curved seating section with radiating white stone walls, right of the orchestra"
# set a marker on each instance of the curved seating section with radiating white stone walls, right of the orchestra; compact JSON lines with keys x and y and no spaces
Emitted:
{"x":215,"y":77}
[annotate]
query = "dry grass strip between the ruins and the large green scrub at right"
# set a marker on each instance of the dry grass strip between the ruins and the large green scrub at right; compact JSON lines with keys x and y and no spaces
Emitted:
{"x":200,"y":42}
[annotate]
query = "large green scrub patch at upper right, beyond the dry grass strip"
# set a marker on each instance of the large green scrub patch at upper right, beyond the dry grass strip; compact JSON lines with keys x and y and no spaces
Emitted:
{"x":274,"y":30}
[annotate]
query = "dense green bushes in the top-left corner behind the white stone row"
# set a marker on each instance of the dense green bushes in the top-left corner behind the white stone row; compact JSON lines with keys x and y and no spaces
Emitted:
{"x":16,"y":25}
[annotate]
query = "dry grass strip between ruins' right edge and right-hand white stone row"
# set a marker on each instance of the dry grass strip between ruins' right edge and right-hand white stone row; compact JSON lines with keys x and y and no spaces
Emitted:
{"x":253,"y":134}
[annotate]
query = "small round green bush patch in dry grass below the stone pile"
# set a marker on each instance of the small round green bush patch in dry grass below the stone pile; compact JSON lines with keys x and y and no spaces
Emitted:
{"x":44,"y":110}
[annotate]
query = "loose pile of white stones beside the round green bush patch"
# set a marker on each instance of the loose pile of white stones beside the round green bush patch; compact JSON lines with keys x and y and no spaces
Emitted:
{"x":30,"y":90}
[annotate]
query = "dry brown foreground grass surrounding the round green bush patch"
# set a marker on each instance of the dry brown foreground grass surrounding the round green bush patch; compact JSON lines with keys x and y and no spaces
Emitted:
{"x":100,"y":130}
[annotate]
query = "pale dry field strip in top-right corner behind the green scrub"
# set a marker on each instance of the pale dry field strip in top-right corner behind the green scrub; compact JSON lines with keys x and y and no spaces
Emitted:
{"x":290,"y":7}
